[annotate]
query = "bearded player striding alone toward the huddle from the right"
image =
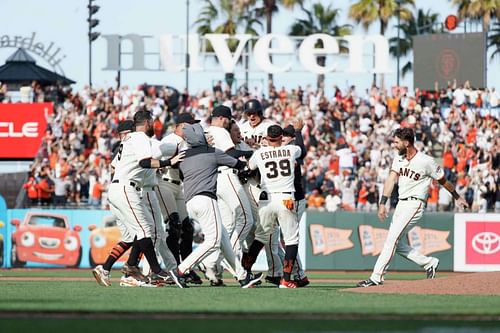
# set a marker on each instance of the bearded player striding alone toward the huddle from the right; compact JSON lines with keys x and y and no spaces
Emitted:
{"x":414,"y":172}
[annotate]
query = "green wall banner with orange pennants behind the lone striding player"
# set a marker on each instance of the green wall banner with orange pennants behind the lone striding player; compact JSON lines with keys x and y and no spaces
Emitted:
{"x":353,"y":241}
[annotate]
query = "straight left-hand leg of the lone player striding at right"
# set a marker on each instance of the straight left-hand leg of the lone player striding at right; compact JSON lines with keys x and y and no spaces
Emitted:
{"x":404,"y":213}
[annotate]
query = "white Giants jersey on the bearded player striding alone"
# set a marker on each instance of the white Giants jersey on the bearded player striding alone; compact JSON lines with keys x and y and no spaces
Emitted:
{"x":415,"y":175}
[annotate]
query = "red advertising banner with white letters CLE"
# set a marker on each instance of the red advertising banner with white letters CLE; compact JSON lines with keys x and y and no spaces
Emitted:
{"x":22,"y":128}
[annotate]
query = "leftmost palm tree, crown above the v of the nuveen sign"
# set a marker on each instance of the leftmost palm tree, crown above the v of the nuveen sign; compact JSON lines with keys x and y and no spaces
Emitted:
{"x":228,"y":18}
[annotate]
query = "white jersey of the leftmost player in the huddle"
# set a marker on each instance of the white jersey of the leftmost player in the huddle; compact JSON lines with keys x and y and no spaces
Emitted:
{"x":134,"y":147}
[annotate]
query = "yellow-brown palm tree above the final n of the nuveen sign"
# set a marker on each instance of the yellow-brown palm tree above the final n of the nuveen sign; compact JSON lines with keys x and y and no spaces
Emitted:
{"x":367,"y":12}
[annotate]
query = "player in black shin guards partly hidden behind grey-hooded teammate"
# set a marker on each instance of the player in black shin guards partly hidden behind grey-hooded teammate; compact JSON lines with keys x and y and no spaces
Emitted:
{"x":171,"y":196}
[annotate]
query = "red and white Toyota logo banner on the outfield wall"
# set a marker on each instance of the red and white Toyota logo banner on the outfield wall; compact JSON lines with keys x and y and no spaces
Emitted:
{"x":477,"y":242}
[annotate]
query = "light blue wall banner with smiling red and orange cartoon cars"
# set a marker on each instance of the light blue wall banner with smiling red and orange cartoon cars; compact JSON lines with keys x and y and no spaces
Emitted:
{"x":60,"y":237}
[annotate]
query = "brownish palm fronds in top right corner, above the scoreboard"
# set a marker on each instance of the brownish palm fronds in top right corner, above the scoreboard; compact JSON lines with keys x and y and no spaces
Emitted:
{"x":478,"y":10}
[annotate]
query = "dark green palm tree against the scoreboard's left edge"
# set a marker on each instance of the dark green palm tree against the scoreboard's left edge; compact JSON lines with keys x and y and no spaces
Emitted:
{"x":424,"y":23}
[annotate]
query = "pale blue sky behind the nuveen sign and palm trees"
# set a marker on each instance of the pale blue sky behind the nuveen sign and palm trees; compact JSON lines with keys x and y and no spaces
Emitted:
{"x":63,"y":22}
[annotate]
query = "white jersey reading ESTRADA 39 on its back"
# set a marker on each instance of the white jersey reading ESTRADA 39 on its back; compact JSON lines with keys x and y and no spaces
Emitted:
{"x":276,"y":166}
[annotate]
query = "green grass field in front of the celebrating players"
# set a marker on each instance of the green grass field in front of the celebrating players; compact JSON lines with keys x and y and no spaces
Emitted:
{"x":85,"y":306}
